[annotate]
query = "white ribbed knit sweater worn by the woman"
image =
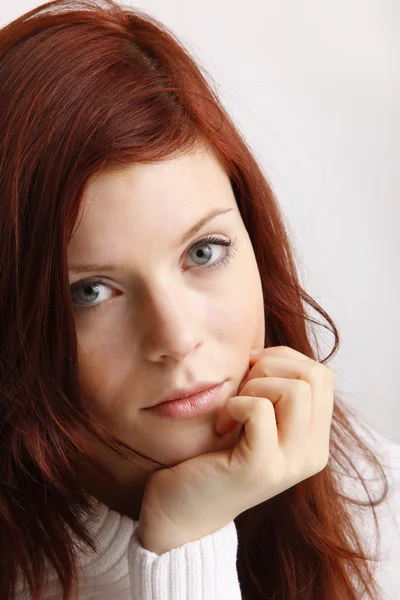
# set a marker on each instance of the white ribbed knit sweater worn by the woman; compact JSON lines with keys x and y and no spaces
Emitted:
{"x":205,"y":569}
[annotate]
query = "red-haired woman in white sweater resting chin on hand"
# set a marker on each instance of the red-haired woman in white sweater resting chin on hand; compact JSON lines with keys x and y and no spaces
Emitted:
{"x":144,"y":256}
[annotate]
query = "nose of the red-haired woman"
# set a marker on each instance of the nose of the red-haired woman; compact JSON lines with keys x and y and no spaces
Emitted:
{"x":172,"y":323}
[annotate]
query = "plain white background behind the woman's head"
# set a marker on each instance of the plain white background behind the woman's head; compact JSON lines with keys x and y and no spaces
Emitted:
{"x":315,"y":89}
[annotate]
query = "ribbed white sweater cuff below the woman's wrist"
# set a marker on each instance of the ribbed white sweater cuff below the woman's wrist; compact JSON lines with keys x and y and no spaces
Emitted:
{"x":204,"y":569}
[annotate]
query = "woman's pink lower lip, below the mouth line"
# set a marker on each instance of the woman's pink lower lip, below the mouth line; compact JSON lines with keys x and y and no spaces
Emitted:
{"x":189,"y":406}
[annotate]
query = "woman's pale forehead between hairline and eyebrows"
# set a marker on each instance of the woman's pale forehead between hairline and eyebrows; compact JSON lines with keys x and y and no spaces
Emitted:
{"x":149,"y":201}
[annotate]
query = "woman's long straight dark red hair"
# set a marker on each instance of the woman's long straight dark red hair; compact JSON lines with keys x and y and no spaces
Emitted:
{"x":87,"y":86}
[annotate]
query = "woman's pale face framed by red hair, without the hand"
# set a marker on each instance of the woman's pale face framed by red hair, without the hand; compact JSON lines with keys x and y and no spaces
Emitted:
{"x":163,"y":312}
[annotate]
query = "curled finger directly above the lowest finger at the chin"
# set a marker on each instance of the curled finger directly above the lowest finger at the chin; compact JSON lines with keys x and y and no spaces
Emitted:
{"x":292,"y":400}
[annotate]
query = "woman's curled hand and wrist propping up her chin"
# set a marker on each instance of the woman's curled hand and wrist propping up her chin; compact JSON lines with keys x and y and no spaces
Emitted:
{"x":285,"y":405}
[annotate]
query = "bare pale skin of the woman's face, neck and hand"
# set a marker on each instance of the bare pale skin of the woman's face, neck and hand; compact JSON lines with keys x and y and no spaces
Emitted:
{"x":166,"y":321}
